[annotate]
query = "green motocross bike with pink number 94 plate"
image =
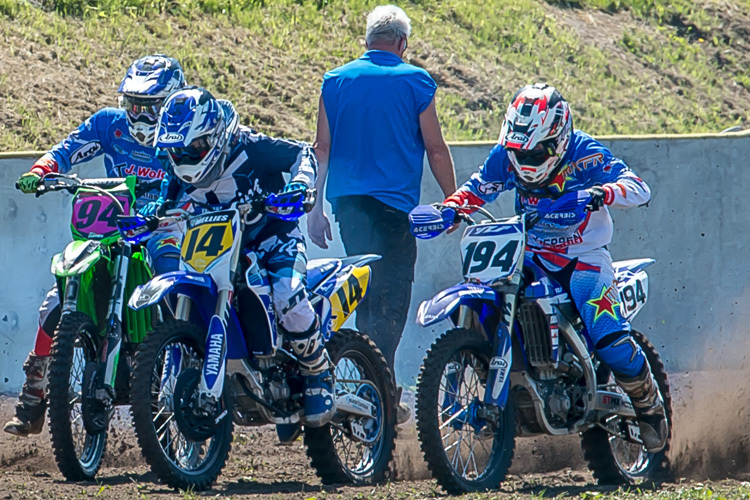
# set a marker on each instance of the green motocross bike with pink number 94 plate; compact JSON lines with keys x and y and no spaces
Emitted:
{"x":97,"y":336}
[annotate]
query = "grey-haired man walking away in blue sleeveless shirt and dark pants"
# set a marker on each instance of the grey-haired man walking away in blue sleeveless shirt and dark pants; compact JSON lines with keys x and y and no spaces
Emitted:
{"x":376,"y":119}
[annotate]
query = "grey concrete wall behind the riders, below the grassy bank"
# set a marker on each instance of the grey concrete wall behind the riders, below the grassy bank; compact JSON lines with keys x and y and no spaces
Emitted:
{"x":696,"y":227}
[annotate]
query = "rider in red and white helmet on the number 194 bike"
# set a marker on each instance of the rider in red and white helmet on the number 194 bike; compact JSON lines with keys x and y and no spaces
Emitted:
{"x":540,"y":155}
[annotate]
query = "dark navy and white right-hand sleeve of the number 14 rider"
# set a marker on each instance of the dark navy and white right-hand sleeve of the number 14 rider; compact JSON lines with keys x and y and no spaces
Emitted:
{"x":285,"y":155}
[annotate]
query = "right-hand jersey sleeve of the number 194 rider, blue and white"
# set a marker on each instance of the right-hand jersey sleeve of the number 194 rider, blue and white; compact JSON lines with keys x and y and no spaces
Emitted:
{"x":623,"y":188}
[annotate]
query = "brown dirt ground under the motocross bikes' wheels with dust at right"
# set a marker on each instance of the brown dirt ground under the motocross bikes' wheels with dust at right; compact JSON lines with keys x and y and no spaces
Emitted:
{"x":710,"y":444}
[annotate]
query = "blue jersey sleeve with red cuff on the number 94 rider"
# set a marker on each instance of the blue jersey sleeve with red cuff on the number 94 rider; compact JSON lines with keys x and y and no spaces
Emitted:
{"x":81,"y":146}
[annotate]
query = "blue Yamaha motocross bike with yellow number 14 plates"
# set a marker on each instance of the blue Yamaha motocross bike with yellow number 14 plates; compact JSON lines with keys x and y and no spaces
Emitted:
{"x":224,"y":361}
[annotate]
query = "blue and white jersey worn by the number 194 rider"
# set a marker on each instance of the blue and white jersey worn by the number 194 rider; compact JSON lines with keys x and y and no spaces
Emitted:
{"x":586,"y":164}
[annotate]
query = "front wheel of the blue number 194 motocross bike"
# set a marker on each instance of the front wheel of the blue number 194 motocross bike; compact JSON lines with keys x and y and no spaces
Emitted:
{"x":465,"y":449}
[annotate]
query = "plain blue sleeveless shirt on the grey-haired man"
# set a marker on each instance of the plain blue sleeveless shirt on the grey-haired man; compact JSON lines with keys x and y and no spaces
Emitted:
{"x":373,"y":105}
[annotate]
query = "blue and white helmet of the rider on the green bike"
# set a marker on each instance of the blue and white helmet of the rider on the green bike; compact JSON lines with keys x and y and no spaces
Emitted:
{"x":148,"y":82}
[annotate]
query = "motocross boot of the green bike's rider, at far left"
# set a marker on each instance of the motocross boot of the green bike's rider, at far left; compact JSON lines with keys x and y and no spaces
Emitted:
{"x":32,"y":402}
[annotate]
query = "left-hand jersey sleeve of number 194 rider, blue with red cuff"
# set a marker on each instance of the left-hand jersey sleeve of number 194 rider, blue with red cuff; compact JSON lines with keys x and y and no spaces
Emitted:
{"x":485,"y":185}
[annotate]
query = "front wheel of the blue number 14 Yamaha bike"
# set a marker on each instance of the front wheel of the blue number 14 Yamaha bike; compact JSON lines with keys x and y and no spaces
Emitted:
{"x":185,"y":450}
